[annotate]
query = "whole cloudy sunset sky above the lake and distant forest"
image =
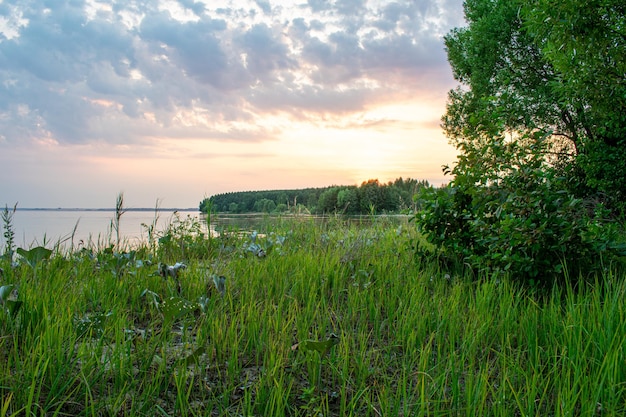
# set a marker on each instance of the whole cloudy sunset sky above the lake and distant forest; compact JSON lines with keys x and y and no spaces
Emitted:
{"x":172,"y":101}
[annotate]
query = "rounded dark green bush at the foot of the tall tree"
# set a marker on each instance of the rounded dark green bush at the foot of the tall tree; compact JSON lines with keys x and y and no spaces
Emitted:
{"x":523,"y":222}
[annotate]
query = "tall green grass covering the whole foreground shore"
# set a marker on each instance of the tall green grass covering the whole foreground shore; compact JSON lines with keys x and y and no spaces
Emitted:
{"x":90,"y":340}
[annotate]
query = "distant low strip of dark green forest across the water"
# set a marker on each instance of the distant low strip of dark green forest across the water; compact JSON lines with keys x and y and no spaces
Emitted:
{"x":371,"y":197}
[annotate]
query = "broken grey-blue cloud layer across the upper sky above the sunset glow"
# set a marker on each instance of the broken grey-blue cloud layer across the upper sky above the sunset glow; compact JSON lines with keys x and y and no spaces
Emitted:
{"x":123,"y":72}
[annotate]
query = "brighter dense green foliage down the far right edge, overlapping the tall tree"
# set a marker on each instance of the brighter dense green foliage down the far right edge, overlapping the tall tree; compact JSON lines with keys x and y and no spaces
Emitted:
{"x":585,"y":41}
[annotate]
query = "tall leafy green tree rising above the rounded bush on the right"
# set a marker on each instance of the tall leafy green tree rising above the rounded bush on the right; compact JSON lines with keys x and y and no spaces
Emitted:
{"x":542,"y":66}
